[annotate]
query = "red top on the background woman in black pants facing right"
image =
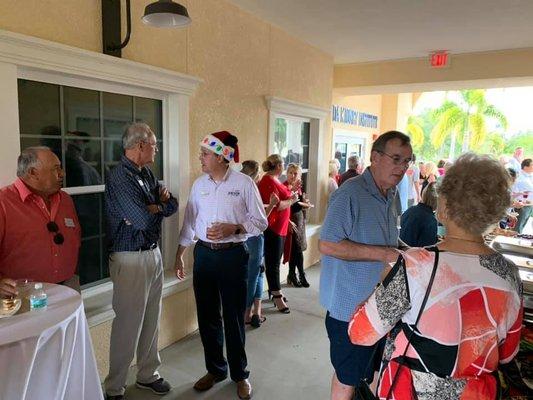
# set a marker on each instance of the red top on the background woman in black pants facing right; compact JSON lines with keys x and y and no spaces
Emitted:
{"x":278,"y":221}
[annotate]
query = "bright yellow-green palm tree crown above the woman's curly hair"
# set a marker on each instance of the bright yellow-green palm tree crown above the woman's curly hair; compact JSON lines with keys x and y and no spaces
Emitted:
{"x":465,"y":119}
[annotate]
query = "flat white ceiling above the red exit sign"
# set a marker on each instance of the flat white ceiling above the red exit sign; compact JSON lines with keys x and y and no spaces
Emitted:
{"x":371,"y":30}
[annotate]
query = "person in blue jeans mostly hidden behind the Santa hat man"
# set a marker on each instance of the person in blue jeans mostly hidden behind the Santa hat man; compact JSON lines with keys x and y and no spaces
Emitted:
{"x":255,"y":246}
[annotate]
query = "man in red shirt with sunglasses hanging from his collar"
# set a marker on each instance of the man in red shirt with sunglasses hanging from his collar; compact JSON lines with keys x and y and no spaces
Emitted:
{"x":39,"y":228}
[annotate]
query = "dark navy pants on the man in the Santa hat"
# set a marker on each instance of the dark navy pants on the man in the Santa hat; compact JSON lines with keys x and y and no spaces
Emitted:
{"x":220,"y":284}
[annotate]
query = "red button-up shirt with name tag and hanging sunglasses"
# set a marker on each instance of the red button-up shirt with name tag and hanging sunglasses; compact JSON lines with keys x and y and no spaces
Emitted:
{"x":27,"y":248}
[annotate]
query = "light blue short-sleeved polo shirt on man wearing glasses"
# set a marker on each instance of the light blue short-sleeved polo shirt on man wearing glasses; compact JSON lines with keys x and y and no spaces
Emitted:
{"x":358,"y":212}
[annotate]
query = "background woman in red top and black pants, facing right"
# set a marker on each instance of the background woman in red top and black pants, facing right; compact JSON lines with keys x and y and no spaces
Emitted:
{"x":278,"y":225}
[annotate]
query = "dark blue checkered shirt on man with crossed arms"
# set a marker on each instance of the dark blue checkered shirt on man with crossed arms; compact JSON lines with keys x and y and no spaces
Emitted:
{"x":127,"y":193}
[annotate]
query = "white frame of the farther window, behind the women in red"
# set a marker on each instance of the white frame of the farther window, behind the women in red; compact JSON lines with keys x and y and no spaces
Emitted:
{"x":283,"y":108}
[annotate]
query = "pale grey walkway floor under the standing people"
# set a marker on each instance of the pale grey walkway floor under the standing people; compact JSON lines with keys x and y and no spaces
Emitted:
{"x":288,"y":356}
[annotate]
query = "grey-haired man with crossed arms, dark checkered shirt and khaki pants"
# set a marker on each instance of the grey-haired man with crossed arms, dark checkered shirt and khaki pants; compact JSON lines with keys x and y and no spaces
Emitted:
{"x":135,"y":205}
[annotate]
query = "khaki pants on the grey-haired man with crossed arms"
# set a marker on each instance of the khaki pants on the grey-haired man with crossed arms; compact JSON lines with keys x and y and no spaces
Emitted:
{"x":137,"y":287}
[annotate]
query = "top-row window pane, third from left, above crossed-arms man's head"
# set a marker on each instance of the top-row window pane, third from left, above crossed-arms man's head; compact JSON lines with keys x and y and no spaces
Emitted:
{"x":118,"y":113}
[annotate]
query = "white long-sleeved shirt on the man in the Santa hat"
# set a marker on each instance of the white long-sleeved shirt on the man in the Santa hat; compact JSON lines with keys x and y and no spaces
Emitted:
{"x":234,"y":200}
